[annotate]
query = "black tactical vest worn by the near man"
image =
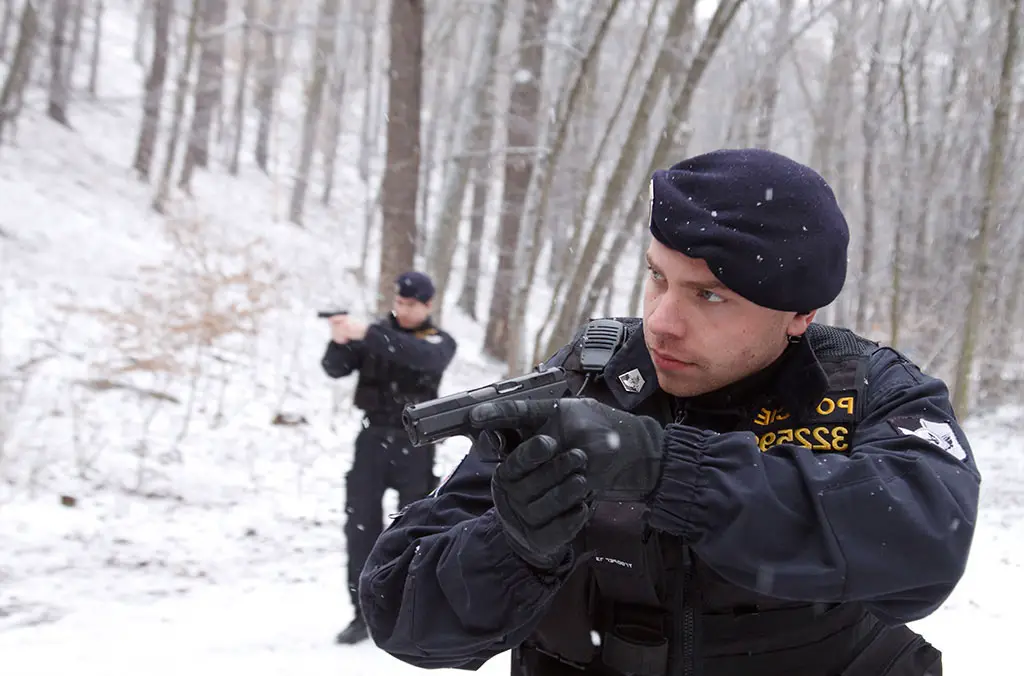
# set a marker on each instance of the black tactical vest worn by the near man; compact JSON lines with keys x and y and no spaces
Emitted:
{"x":642,"y":605}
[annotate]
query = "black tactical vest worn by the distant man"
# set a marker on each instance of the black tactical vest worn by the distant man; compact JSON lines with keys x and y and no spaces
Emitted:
{"x":386,"y":388}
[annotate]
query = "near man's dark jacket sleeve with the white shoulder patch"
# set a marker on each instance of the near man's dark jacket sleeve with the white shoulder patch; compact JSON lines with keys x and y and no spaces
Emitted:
{"x":889,"y":523}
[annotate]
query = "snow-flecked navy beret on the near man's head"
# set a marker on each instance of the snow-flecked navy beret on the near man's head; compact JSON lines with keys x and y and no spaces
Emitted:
{"x":769,"y":228}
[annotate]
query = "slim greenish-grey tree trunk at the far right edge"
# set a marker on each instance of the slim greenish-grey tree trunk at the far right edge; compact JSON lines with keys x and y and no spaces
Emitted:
{"x":994,"y":177}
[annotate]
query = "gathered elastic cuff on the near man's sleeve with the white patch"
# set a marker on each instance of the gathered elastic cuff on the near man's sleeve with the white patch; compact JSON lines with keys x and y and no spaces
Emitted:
{"x":676,"y":505}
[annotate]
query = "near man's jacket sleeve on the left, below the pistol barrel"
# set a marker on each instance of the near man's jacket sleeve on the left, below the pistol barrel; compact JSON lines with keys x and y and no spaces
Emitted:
{"x":442,"y":587}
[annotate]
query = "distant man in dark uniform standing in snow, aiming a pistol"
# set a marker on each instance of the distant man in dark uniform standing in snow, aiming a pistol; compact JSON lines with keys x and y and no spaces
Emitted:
{"x":401,"y":360}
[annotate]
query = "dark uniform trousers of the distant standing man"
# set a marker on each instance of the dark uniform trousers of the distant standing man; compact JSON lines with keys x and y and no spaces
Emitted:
{"x":385,"y":459}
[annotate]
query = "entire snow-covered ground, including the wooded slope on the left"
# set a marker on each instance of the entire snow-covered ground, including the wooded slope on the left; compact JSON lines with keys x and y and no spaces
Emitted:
{"x":222,"y":552}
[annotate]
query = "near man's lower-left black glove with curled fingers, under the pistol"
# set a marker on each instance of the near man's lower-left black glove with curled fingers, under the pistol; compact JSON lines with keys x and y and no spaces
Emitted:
{"x":539,"y":494}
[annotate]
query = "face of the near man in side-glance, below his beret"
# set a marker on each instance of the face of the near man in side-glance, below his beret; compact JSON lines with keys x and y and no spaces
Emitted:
{"x":701,"y":335}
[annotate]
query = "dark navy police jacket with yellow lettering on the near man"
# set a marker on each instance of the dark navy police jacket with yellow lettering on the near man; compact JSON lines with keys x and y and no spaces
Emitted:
{"x":831,"y":497}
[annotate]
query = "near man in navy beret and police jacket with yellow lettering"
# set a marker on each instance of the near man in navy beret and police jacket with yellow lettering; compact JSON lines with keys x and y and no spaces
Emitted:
{"x":742,"y":492}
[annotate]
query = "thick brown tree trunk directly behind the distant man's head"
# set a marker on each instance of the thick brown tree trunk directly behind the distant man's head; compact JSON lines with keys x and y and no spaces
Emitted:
{"x":402,"y":172}
